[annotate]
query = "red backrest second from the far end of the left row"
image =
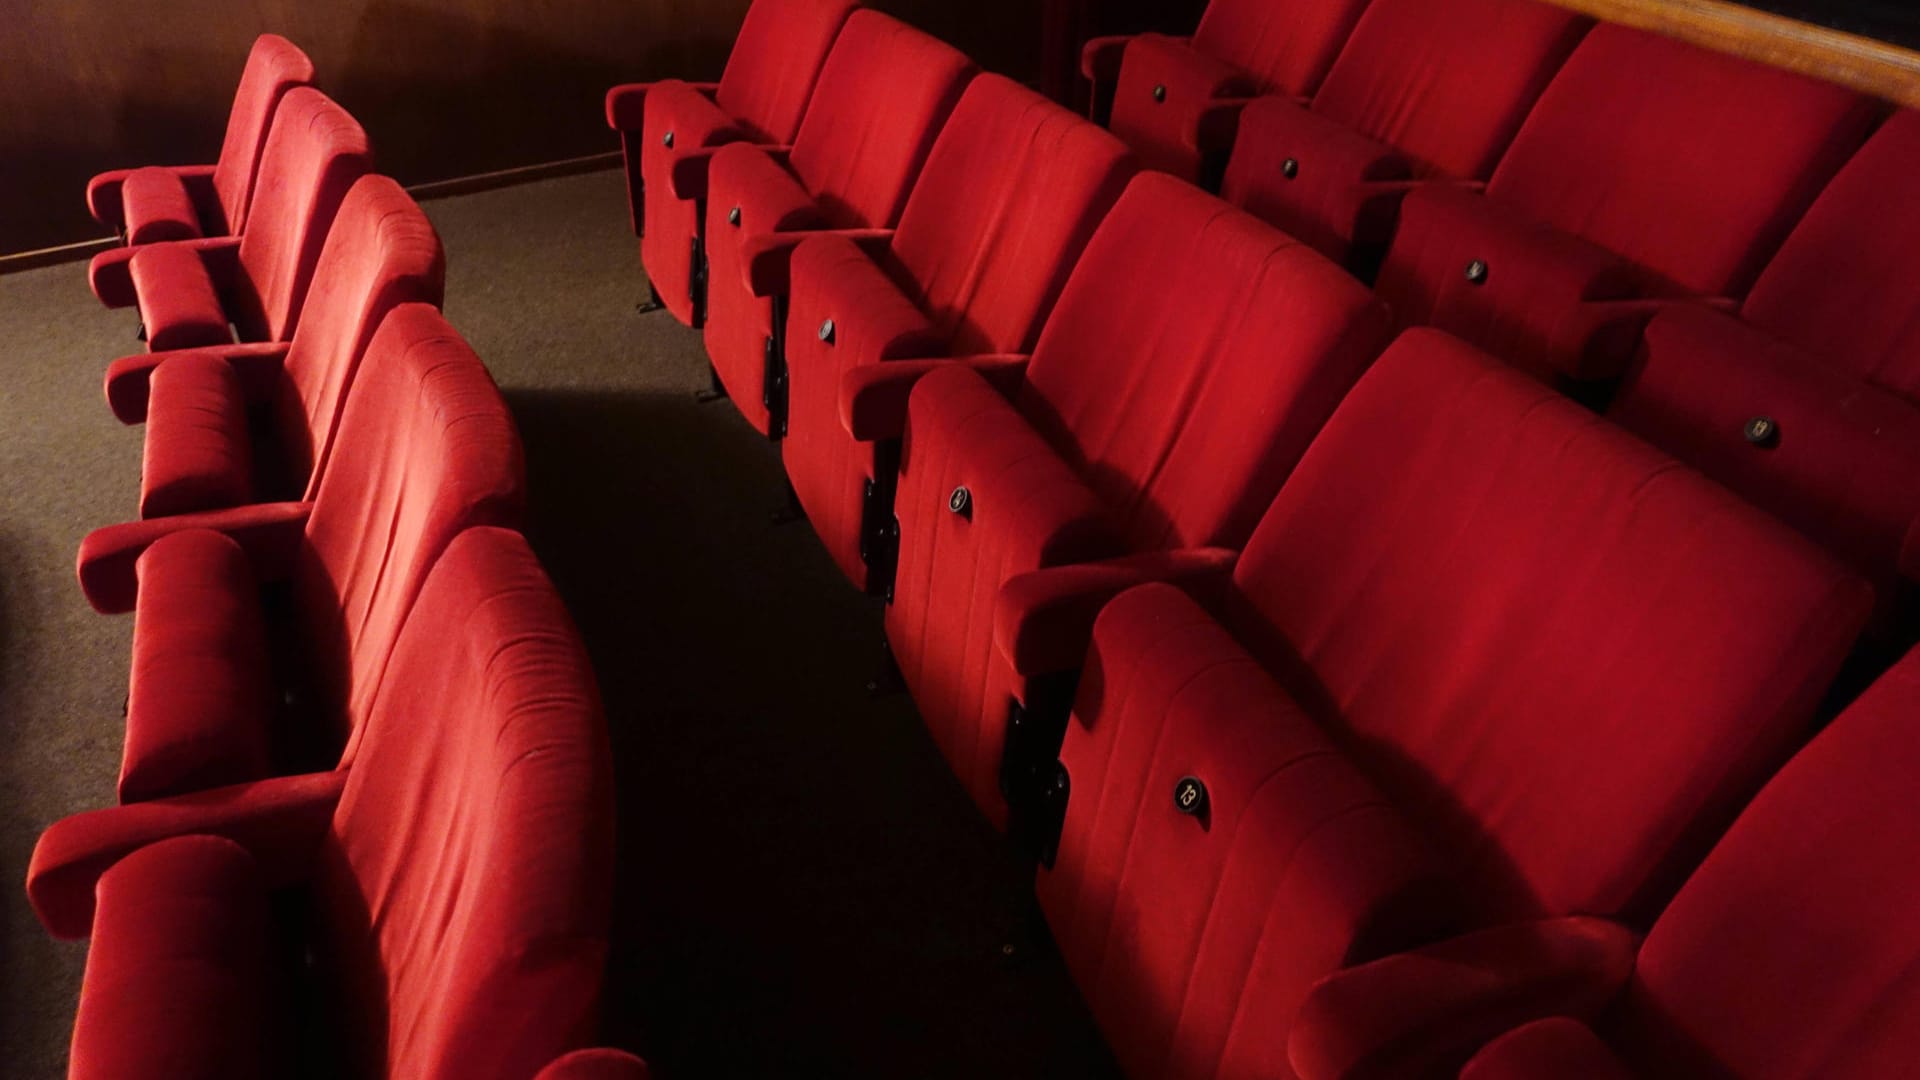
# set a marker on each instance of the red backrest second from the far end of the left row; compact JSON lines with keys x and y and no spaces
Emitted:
{"x":314,"y":155}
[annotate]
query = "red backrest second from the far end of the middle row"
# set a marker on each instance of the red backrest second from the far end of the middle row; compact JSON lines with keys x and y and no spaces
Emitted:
{"x":880,"y":103}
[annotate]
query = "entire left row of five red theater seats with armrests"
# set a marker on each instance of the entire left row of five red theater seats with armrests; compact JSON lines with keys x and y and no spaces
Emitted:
{"x":366,"y":793}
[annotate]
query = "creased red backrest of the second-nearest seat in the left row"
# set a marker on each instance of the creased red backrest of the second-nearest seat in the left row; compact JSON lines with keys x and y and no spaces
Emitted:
{"x":425,"y":451}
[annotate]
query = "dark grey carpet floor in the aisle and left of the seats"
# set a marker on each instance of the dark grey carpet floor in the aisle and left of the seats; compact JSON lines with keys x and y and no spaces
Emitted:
{"x":804,"y":891}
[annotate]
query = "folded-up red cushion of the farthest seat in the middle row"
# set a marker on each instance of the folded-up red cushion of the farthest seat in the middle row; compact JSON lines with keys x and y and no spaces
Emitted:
{"x":683,"y":114}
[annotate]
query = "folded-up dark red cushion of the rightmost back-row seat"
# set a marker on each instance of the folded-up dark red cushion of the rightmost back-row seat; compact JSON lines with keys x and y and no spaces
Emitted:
{"x":1838,"y":462}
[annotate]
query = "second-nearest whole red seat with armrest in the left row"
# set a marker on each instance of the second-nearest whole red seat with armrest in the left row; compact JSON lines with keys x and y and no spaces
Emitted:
{"x":427,"y":449}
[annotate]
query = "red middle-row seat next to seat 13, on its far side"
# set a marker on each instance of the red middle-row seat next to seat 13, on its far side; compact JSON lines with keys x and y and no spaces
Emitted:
{"x":1189,"y":362}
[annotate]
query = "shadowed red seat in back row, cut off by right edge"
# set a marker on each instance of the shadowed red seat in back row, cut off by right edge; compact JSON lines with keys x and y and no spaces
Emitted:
{"x":1825,"y":358}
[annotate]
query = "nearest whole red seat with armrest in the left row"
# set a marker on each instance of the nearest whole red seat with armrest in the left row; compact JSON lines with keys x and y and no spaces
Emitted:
{"x":458,"y":877}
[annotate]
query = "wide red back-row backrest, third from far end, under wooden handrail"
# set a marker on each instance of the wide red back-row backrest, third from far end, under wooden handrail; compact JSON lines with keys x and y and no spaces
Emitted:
{"x":1689,"y":162}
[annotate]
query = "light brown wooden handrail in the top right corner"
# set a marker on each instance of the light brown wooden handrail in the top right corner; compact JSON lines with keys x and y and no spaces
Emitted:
{"x":1863,"y":64}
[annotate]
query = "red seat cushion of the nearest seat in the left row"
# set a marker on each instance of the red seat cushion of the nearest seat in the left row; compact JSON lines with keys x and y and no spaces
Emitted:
{"x":178,"y":977}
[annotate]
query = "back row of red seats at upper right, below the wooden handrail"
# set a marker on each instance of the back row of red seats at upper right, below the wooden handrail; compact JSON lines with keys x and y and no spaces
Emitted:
{"x":1704,"y":247}
